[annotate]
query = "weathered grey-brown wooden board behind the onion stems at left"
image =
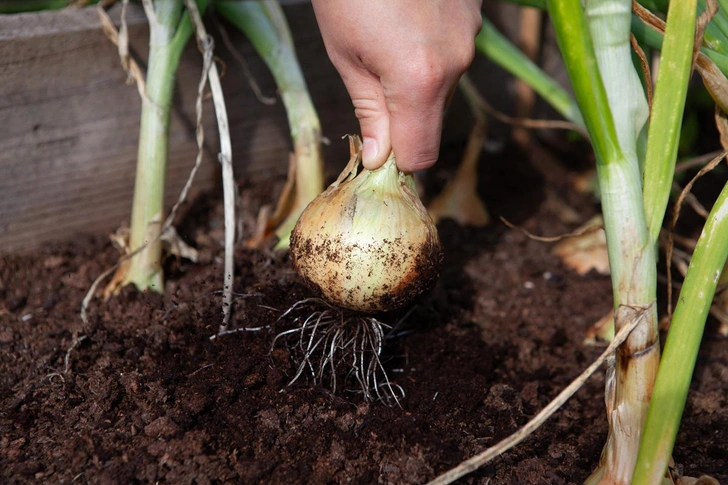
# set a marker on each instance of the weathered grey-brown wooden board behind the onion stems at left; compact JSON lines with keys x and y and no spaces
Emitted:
{"x":69,"y":123}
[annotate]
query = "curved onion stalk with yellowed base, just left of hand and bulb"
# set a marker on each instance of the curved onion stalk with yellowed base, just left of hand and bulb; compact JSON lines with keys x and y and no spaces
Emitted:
{"x":264,"y":23}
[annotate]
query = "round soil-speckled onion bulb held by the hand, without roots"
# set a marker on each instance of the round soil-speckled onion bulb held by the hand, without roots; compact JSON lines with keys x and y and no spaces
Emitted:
{"x":367,"y":243}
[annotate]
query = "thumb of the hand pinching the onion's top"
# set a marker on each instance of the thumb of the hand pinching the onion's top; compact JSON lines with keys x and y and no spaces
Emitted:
{"x":371,"y":110}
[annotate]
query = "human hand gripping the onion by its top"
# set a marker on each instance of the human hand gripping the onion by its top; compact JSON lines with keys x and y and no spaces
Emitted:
{"x":400,"y":61}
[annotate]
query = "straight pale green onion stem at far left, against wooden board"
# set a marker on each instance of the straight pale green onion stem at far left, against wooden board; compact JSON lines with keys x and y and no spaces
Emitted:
{"x":145,"y":269}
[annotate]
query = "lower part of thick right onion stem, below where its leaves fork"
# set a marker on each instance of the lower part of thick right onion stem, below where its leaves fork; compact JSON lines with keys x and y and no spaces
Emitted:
{"x":633,"y":269}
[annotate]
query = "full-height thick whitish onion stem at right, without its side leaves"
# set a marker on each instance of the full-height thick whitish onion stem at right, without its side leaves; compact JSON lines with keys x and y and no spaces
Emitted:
{"x":632,"y":260}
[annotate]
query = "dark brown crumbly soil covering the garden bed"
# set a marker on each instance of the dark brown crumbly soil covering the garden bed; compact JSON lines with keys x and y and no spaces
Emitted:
{"x":147,"y":397}
